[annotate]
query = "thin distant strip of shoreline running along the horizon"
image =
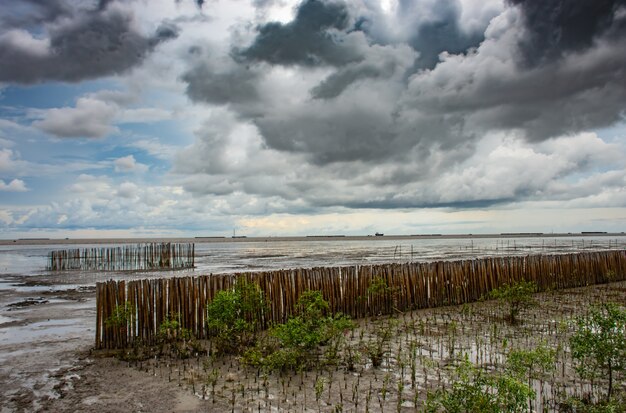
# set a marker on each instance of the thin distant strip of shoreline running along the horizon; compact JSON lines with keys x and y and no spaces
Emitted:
{"x":223,"y":239}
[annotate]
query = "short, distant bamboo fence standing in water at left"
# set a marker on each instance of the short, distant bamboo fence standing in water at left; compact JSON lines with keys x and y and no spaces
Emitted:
{"x":124,"y":258}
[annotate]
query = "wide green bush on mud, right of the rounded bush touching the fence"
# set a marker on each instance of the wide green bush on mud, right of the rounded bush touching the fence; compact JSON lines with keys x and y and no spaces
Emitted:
{"x":295,"y":345}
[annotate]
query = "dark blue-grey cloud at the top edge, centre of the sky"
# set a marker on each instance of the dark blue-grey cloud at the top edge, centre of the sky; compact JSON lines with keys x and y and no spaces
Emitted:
{"x":308,"y":40}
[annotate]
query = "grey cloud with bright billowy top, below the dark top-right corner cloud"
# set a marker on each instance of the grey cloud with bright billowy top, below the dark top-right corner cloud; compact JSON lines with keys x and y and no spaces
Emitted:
{"x":557,"y":98}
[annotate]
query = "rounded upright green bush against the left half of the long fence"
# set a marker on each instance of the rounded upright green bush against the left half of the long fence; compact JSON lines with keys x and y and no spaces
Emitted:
{"x":234,"y":317}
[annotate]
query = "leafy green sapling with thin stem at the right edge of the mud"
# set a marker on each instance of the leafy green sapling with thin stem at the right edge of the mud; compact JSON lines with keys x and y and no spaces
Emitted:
{"x":599,"y":343}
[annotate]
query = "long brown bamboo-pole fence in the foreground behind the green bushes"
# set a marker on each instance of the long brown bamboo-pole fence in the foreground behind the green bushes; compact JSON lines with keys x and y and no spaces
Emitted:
{"x":410,"y":286}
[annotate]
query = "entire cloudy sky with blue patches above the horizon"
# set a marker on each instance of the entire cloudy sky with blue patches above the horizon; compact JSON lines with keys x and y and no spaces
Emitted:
{"x":318,"y":117}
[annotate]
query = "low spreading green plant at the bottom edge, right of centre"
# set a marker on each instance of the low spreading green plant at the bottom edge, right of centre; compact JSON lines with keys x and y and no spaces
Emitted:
{"x":474,"y":390}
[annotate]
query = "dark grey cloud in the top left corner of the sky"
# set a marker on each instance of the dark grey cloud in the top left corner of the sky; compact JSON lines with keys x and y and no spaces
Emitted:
{"x":93,"y":43}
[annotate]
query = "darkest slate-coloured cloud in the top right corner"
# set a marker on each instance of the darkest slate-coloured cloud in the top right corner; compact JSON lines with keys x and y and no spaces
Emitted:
{"x":556,"y":27}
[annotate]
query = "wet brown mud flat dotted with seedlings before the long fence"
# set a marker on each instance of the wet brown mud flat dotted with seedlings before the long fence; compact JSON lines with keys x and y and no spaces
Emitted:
{"x":419,"y":356}
